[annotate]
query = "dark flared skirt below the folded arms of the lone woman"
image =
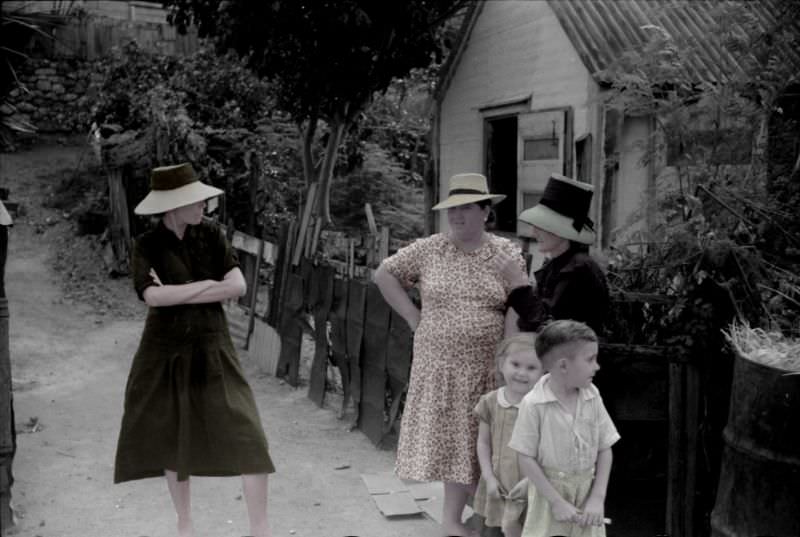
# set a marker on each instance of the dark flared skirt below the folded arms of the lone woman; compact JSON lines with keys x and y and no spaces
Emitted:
{"x":189,"y":409}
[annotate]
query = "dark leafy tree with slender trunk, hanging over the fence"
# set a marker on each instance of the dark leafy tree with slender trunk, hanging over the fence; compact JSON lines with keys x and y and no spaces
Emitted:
{"x":326,"y":58}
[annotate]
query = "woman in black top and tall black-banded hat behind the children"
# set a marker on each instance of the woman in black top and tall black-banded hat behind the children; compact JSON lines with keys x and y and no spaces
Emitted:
{"x":570,"y":284}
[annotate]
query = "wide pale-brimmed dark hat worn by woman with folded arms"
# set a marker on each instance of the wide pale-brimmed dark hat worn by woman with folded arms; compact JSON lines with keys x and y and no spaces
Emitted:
{"x":172,"y":187}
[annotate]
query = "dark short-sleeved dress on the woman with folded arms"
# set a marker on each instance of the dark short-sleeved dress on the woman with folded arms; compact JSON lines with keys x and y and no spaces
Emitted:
{"x":188,"y":407}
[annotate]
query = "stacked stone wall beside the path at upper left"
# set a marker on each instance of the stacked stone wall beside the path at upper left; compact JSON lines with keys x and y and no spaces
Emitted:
{"x":55,"y":95}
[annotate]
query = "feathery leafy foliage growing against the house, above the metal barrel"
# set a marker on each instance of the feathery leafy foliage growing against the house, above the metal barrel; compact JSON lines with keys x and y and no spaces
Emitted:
{"x":711,"y":247}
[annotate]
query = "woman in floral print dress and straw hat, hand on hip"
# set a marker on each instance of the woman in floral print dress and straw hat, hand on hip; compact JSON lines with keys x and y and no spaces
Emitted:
{"x":462,"y":319}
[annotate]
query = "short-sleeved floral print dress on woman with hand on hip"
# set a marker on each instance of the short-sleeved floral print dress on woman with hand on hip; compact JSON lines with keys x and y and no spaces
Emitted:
{"x":462,"y":321}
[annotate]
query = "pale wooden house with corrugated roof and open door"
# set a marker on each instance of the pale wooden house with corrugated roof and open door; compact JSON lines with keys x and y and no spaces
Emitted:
{"x":520,"y":98}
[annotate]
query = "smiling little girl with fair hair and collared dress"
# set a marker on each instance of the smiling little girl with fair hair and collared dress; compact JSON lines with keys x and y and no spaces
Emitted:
{"x":501,"y":497}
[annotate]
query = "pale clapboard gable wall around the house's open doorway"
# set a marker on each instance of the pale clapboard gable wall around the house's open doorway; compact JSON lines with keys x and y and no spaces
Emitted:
{"x":516,"y":48}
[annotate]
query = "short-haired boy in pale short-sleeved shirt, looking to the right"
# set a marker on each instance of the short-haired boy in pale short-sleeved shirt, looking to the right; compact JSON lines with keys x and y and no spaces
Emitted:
{"x":564,"y":436}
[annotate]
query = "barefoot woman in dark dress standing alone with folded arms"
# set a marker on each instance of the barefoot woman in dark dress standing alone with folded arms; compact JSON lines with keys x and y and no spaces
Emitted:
{"x":188,"y":407}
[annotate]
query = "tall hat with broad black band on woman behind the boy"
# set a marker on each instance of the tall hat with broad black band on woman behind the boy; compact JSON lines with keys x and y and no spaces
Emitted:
{"x":563,"y":210}
